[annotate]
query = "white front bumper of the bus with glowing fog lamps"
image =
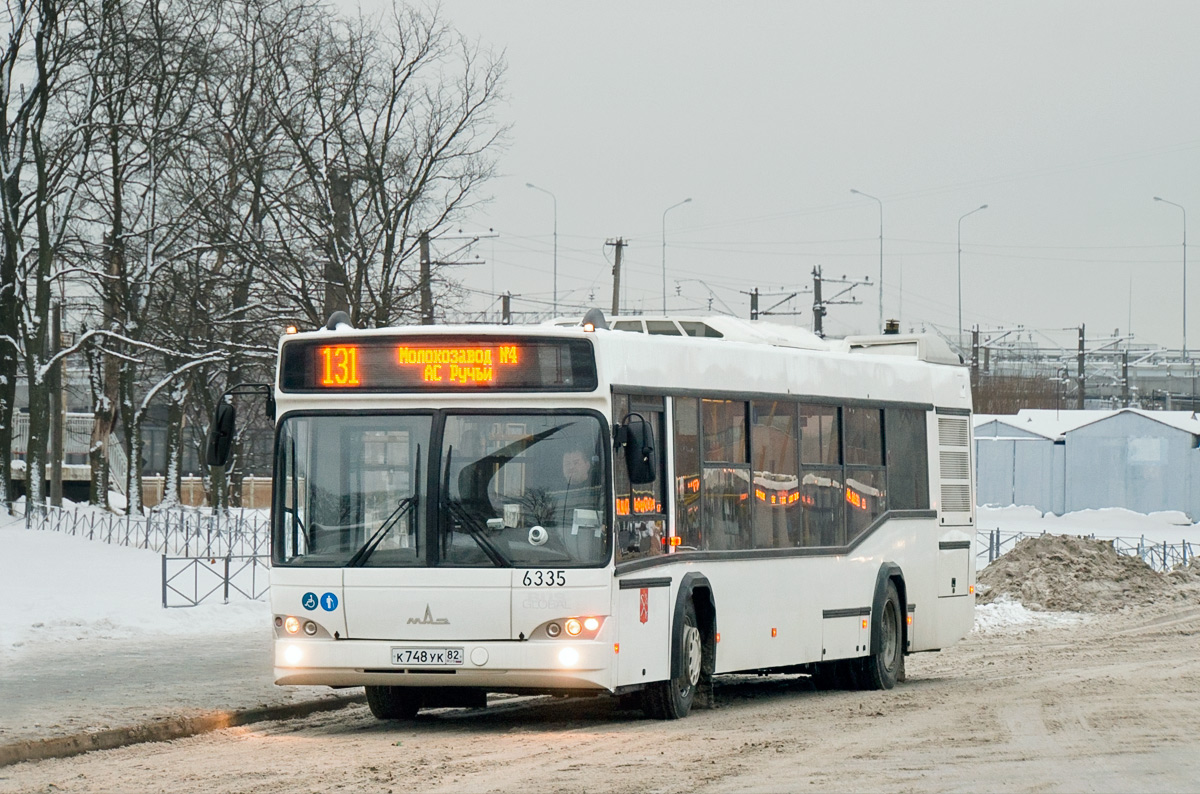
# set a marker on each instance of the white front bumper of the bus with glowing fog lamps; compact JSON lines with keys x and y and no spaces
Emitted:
{"x":497,"y":666}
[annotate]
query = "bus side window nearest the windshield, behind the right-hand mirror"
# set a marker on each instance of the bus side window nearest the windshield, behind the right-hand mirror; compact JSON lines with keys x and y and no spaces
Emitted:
{"x":641,"y":509}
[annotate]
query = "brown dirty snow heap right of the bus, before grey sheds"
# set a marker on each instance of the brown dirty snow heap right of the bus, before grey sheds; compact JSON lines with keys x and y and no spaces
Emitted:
{"x":1063,"y":574}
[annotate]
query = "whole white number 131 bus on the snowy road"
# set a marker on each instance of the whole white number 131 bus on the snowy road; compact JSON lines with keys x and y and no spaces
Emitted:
{"x":463,"y":510}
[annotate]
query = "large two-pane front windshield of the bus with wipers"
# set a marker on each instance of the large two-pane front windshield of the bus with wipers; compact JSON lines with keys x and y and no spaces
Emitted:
{"x":513,"y":490}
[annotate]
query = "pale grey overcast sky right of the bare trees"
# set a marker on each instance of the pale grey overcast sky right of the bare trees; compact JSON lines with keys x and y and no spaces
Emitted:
{"x":1065,"y":118}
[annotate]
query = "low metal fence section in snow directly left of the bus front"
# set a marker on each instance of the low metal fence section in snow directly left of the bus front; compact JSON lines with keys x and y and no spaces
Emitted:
{"x":188,"y":581}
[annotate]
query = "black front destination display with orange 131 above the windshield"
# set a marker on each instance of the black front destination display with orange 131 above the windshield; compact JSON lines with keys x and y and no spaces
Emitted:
{"x":437,"y":364}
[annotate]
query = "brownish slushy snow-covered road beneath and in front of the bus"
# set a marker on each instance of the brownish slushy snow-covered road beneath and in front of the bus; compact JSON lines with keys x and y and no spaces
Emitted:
{"x":1106,"y":705}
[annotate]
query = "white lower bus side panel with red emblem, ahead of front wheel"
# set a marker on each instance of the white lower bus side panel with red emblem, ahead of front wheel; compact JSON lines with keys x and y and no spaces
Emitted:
{"x":644,"y":616}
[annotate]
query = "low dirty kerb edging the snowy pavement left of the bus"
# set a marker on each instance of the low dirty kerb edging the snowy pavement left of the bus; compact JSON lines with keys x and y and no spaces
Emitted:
{"x":164,"y":730}
